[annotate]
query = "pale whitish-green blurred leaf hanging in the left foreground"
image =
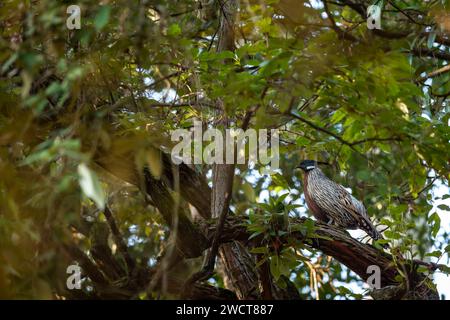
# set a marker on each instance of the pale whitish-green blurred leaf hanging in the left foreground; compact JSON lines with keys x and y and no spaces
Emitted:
{"x":90,"y":185}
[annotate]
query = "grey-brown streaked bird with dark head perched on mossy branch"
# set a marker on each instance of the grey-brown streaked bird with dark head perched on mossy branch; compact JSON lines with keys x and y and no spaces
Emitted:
{"x":331,"y":203}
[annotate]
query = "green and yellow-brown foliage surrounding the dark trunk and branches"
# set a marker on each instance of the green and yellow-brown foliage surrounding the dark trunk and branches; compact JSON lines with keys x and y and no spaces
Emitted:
{"x":138,"y":69}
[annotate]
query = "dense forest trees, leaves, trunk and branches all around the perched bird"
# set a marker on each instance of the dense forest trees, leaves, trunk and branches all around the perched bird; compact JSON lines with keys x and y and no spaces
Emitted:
{"x":87,"y":179}
